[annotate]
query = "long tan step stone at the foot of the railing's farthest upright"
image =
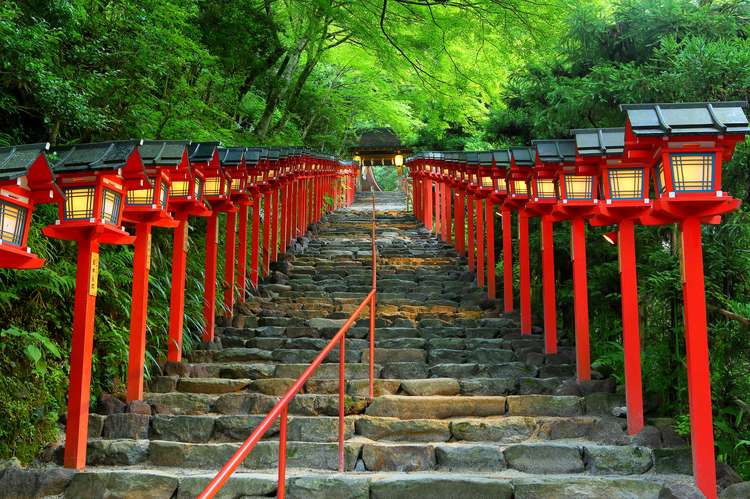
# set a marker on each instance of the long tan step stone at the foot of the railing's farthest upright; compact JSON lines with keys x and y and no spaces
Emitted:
{"x":436,"y":407}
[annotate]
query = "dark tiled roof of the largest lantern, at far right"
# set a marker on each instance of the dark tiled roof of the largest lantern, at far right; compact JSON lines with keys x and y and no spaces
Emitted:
{"x":687,"y":118}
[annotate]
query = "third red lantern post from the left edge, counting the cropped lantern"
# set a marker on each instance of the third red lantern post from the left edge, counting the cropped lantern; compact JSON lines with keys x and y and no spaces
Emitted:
{"x":146,"y":207}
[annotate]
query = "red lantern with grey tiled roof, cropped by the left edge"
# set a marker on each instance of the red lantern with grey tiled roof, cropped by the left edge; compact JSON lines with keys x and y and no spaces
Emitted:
{"x":25,"y":180}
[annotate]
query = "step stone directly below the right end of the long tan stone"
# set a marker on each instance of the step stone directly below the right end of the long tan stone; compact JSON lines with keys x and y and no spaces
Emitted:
{"x":506,"y":430}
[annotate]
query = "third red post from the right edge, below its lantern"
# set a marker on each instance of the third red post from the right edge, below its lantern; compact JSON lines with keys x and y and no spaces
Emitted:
{"x":580,"y":298}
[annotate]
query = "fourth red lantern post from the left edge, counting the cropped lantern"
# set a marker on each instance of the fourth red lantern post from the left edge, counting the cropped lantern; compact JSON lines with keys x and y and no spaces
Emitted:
{"x":185,"y":200}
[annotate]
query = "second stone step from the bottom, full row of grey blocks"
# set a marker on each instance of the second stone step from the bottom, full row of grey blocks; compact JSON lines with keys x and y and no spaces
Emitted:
{"x":544,"y":458}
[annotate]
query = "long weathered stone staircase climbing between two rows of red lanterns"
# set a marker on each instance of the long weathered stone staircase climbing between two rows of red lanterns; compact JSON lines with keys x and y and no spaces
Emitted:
{"x":465,"y":406}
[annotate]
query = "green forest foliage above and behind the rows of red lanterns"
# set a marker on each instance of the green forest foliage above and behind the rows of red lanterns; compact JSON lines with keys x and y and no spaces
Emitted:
{"x":452,"y":74}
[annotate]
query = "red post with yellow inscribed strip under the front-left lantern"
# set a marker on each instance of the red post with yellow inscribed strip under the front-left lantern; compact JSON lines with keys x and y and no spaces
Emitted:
{"x":76,"y":427}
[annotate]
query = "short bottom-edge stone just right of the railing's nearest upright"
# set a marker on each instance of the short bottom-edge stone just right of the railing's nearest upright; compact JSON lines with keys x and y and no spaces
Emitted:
{"x":328,"y":487}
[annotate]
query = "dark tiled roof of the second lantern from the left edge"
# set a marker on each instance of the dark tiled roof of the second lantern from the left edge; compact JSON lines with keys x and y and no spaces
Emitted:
{"x":95,"y":156}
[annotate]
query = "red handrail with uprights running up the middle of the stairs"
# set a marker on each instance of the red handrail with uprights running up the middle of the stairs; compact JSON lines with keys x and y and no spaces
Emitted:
{"x":281,"y":409}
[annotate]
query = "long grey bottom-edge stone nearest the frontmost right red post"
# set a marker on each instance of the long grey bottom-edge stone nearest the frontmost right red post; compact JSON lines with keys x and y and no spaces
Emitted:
{"x":577,"y":488}
